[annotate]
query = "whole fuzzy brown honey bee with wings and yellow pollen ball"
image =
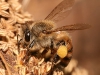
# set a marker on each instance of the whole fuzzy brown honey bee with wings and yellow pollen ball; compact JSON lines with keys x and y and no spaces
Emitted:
{"x":45,"y":40}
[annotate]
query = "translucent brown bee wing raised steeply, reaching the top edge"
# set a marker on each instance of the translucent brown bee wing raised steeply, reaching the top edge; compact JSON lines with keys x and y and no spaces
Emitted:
{"x":60,"y":11}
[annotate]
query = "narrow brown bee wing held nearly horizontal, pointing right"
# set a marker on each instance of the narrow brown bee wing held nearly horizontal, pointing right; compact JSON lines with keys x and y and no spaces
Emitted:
{"x":70,"y":28}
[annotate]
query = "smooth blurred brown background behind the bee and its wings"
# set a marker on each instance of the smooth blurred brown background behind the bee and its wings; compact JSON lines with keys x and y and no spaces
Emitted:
{"x":87,"y":42}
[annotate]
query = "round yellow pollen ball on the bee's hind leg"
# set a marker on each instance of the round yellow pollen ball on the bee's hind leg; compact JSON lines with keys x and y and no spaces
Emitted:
{"x":62,"y":51}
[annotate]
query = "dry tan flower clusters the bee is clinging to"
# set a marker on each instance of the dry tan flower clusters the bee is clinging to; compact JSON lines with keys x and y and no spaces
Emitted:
{"x":11,"y":63}
